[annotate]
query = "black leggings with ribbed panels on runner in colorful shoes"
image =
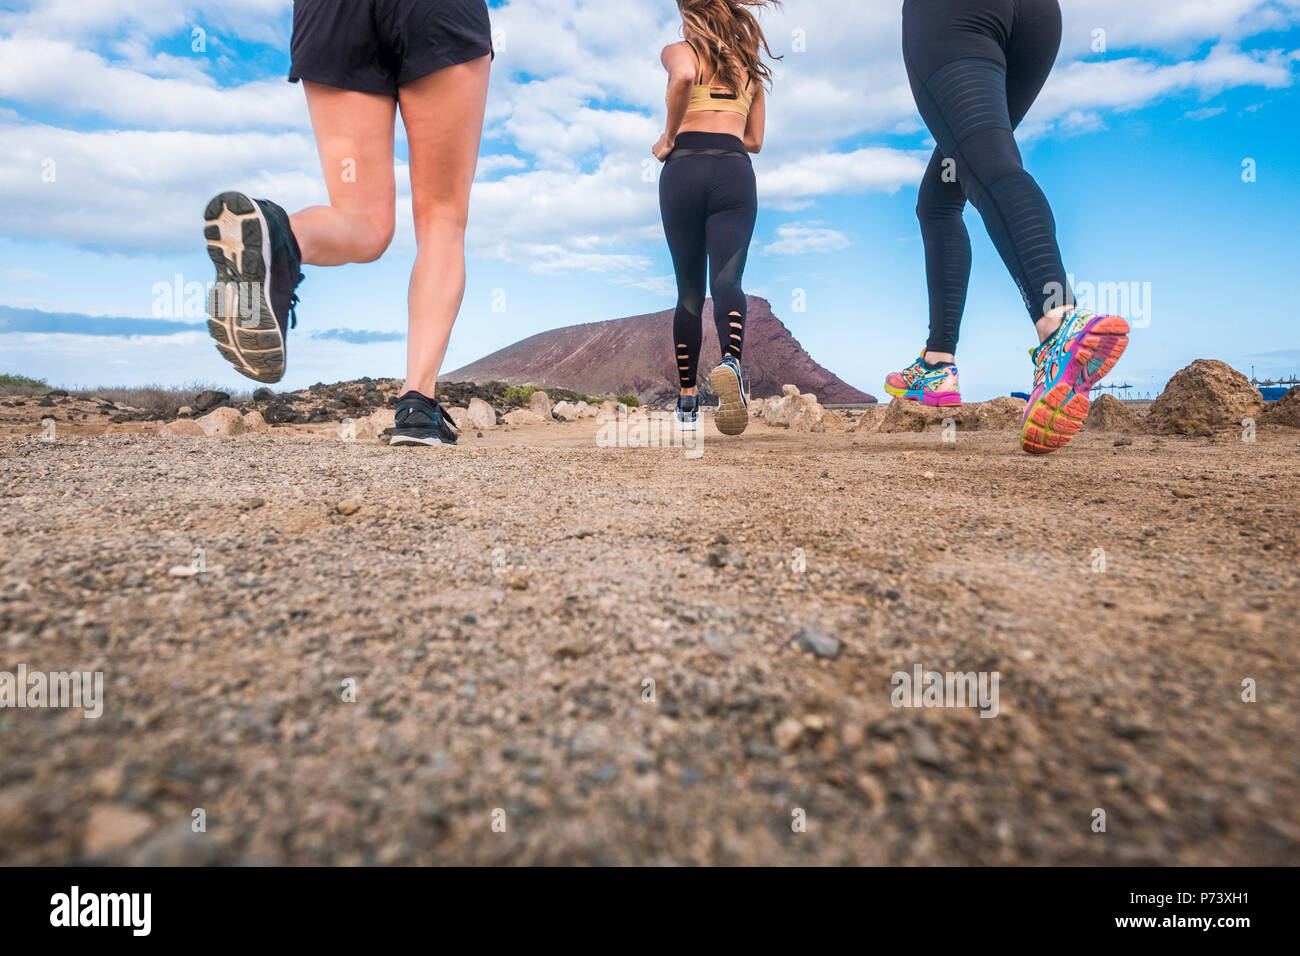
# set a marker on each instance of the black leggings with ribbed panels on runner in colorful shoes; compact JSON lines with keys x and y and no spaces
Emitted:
{"x":976,"y":70}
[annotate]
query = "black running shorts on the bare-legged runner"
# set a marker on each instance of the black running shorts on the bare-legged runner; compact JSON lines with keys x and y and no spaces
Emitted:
{"x":376,"y":46}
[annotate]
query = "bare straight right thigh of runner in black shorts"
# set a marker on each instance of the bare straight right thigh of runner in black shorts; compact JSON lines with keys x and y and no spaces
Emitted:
{"x":444,"y":118}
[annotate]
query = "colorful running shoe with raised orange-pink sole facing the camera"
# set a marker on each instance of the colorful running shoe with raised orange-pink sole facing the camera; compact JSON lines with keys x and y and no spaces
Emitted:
{"x":1067,"y":367}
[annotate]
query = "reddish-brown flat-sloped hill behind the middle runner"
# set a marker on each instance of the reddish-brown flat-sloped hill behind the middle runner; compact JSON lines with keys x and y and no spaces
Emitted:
{"x":635,"y":356}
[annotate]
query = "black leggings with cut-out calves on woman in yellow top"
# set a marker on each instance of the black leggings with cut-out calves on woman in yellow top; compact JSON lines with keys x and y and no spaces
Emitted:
{"x":709,"y":202}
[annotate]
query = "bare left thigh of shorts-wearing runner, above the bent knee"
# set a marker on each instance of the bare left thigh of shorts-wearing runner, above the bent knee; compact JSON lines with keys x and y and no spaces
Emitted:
{"x":354,"y":136}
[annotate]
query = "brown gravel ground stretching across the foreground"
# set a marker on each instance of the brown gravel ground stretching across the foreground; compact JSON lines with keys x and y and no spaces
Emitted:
{"x":500,"y":611}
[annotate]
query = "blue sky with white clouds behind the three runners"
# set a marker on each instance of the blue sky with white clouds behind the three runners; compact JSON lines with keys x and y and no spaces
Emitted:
{"x":1165,"y":141}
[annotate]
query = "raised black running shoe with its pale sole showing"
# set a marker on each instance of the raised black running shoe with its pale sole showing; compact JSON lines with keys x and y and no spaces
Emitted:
{"x":259,"y":267}
